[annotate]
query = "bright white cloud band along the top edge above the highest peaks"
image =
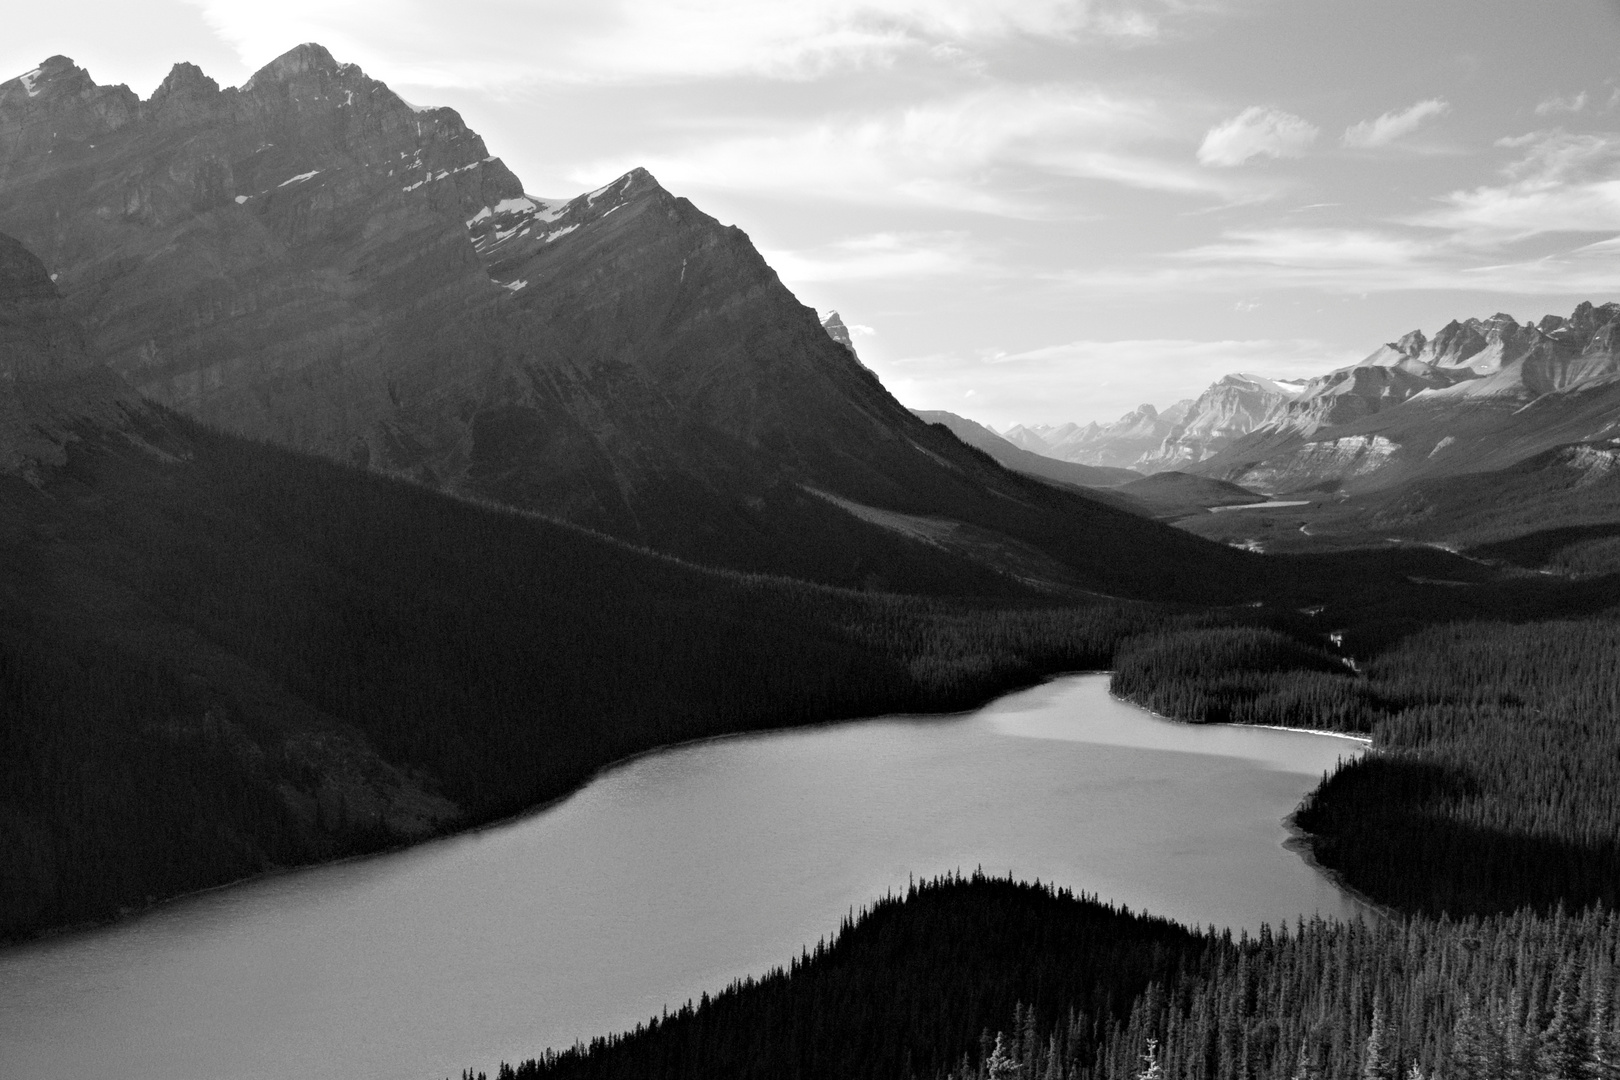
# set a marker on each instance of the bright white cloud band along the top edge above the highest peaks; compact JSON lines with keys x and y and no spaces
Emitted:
{"x":497,"y":43}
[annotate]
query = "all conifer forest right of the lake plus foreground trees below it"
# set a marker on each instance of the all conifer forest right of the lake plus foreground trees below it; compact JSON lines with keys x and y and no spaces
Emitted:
{"x":1486,"y":820}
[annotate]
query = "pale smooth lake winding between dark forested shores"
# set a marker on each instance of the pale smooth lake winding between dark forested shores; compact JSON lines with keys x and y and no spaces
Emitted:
{"x":665,"y":878}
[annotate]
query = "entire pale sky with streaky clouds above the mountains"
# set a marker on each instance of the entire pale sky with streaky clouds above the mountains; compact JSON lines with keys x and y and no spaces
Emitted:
{"x":1028,"y":211}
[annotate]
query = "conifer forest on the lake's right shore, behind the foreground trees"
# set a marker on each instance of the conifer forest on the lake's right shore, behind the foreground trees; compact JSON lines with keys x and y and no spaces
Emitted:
{"x":1496,"y":778}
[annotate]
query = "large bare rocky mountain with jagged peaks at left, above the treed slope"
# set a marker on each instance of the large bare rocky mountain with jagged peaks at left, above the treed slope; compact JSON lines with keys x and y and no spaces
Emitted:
{"x":313,"y":261}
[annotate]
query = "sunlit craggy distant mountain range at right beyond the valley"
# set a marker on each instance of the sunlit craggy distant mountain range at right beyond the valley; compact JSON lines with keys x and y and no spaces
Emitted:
{"x":1480,"y":394}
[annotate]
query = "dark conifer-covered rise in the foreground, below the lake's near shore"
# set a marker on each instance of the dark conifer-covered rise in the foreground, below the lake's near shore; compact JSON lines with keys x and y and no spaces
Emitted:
{"x":992,"y":980}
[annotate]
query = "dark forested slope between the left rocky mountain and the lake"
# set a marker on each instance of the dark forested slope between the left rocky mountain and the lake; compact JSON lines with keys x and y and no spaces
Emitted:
{"x":221,"y":657}
